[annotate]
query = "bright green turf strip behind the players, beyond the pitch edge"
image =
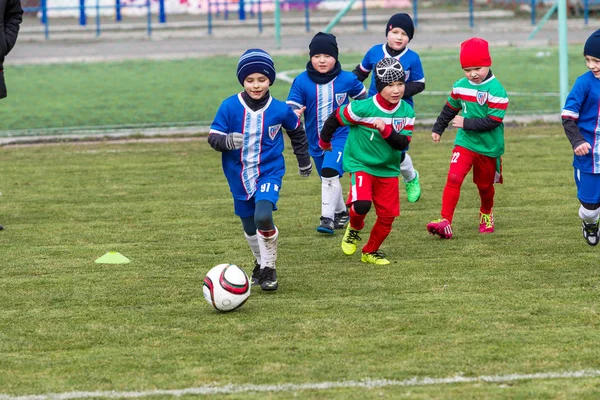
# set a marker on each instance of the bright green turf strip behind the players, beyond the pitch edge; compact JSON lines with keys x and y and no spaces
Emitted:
{"x":189,"y":91}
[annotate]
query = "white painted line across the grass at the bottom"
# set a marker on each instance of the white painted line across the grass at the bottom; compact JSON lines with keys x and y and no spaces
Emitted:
{"x":290,"y":387}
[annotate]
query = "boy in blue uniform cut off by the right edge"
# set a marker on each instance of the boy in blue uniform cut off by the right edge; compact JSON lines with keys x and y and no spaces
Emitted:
{"x":580,"y":119}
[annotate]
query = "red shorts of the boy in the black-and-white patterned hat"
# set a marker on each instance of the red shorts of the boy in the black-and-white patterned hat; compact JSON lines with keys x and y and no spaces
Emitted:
{"x":383,"y":192}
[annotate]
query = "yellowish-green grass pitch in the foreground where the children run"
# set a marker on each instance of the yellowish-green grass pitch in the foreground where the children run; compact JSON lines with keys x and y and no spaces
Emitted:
{"x":522,"y":300}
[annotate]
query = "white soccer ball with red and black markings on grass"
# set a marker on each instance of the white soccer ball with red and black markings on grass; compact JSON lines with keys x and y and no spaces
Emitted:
{"x":226,"y":287}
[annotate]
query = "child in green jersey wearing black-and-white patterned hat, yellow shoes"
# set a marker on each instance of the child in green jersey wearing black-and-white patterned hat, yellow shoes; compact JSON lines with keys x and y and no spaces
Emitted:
{"x":380,"y":129}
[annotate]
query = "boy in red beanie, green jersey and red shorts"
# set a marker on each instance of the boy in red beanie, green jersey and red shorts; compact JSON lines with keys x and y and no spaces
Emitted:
{"x":479,"y":142}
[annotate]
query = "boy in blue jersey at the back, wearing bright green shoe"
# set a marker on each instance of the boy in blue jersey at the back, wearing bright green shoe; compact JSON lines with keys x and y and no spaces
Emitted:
{"x":399,"y":31}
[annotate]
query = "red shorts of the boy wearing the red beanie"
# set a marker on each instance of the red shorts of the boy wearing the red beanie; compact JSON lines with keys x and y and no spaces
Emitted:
{"x":484,"y":167}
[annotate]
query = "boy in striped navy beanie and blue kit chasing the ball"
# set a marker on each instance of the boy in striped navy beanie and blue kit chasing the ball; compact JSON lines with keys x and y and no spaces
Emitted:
{"x":247,"y":130}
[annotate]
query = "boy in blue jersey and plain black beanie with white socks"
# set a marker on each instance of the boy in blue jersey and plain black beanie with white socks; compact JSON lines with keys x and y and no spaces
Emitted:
{"x":318,"y":92}
